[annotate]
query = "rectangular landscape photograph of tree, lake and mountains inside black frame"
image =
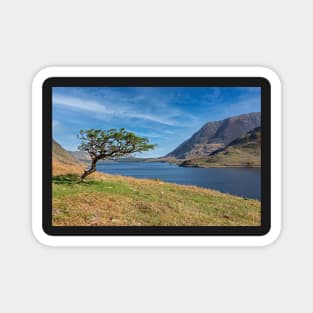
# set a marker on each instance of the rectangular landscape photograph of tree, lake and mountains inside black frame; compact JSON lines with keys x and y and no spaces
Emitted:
{"x":156,"y":156}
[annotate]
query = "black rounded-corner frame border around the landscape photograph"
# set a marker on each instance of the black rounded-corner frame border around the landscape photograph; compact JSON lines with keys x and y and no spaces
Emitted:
{"x":261,"y":230}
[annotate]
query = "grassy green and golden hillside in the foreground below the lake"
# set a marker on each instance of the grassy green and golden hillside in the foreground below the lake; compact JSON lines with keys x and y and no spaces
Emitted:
{"x":115,"y":200}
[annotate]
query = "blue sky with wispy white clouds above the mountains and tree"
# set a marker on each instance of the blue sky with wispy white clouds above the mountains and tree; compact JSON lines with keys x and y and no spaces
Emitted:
{"x":165,"y":115}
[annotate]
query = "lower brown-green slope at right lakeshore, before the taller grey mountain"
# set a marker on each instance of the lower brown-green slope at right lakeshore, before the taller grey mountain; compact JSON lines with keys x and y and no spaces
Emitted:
{"x":244,"y":151}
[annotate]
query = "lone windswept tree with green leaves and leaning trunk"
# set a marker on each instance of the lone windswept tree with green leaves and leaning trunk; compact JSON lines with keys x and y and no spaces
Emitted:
{"x":110,"y":144}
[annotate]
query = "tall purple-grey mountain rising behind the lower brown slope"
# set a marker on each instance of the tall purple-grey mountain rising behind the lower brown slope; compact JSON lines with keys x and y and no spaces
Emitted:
{"x":214,"y":136}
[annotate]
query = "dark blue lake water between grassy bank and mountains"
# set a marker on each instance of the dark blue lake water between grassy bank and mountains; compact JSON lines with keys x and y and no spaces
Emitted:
{"x":244,"y":182}
